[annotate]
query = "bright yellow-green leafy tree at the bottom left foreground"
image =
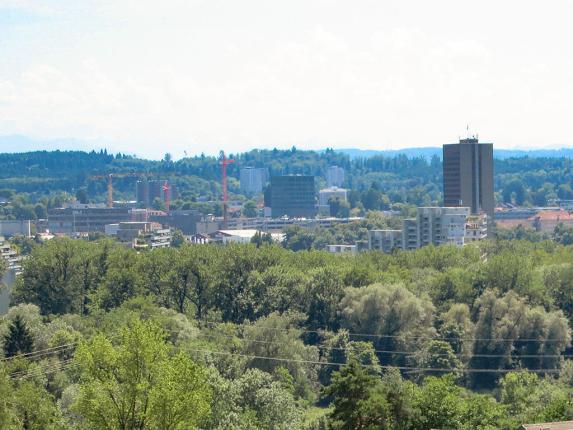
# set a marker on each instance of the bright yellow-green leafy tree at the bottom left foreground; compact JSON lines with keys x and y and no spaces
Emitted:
{"x":138,"y":384}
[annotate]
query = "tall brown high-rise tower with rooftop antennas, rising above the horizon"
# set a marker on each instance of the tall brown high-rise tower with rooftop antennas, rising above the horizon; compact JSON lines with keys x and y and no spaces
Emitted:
{"x":468,"y":176}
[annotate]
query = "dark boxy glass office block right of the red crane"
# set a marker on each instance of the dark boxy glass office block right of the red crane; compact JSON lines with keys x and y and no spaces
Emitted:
{"x":292,"y":195}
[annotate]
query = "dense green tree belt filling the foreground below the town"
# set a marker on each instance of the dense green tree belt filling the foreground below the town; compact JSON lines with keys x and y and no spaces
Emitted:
{"x":260,"y":337}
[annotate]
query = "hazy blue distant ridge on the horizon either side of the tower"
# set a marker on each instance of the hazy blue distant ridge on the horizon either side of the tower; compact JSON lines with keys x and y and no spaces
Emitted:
{"x":430,"y":152}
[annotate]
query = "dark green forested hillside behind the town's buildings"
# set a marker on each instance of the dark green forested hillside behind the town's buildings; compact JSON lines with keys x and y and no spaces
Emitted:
{"x":413,"y":180}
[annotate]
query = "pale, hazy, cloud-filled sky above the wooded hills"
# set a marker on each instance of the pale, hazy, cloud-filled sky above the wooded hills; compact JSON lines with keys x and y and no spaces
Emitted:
{"x":189,"y":76}
